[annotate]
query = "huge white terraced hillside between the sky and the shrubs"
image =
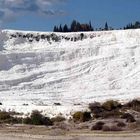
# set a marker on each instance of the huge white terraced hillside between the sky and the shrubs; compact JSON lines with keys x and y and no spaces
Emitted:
{"x":39,"y":69}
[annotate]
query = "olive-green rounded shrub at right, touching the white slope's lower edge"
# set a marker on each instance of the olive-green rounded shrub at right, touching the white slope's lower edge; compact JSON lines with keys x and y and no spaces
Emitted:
{"x":111,"y":105}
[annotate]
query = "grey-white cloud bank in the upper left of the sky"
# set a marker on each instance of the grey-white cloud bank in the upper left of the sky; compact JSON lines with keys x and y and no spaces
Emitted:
{"x":10,"y":9}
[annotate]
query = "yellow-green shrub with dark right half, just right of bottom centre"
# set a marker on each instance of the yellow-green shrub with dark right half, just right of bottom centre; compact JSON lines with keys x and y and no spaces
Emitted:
{"x":81,"y":116}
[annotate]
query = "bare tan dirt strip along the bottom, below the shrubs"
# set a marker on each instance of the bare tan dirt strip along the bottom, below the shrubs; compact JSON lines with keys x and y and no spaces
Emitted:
{"x":24,"y":132}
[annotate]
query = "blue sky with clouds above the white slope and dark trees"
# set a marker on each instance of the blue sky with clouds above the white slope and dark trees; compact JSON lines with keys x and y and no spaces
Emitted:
{"x":42,"y":15}
